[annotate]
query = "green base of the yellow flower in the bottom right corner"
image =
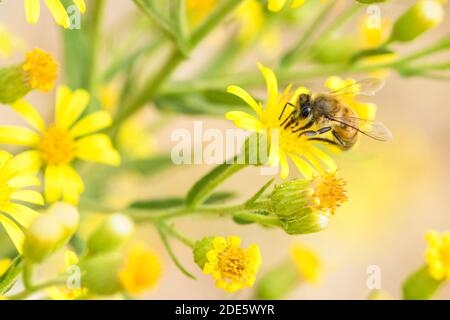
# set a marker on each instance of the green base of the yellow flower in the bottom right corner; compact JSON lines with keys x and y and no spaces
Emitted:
{"x":420,"y":285}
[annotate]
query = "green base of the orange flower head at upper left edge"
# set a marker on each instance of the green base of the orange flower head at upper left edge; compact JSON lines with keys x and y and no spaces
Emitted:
{"x":13,"y":84}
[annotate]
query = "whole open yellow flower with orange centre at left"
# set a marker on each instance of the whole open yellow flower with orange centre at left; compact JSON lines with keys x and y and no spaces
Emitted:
{"x":56,"y":146}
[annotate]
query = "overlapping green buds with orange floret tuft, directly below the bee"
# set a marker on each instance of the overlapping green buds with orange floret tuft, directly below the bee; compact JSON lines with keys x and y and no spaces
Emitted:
{"x":305,"y":206}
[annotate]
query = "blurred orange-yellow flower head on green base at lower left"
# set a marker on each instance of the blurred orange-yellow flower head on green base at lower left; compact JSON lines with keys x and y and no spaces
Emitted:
{"x":142,"y":269}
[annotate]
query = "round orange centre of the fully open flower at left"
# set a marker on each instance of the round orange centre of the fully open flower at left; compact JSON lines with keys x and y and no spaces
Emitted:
{"x":57,"y":146}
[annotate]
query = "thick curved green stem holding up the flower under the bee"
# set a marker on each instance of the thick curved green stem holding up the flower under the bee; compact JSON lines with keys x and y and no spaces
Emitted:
{"x":205,"y":186}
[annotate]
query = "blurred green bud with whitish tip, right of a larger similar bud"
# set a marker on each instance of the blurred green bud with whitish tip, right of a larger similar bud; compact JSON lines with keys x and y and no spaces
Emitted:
{"x":111,"y":234}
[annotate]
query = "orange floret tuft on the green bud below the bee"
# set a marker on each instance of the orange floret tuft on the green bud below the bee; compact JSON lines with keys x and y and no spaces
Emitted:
{"x":328,"y":192}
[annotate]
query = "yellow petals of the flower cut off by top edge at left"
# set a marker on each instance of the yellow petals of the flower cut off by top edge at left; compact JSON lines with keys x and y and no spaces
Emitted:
{"x":33,"y":11}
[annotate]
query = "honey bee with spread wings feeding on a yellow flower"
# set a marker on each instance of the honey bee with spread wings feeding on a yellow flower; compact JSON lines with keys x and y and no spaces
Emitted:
{"x":330,"y":114}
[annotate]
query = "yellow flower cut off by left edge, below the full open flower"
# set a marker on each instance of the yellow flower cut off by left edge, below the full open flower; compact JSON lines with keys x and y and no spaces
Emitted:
{"x":13,"y":182}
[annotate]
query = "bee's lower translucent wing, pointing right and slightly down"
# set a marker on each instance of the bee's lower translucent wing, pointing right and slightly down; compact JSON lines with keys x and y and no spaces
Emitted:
{"x":371,"y":128}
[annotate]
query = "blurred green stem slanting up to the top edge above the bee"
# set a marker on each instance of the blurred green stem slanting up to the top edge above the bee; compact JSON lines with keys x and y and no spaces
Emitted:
{"x":291,"y":55}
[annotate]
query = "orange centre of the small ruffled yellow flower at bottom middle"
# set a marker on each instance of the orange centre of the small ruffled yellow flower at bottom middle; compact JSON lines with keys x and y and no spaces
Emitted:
{"x":232,"y":262}
